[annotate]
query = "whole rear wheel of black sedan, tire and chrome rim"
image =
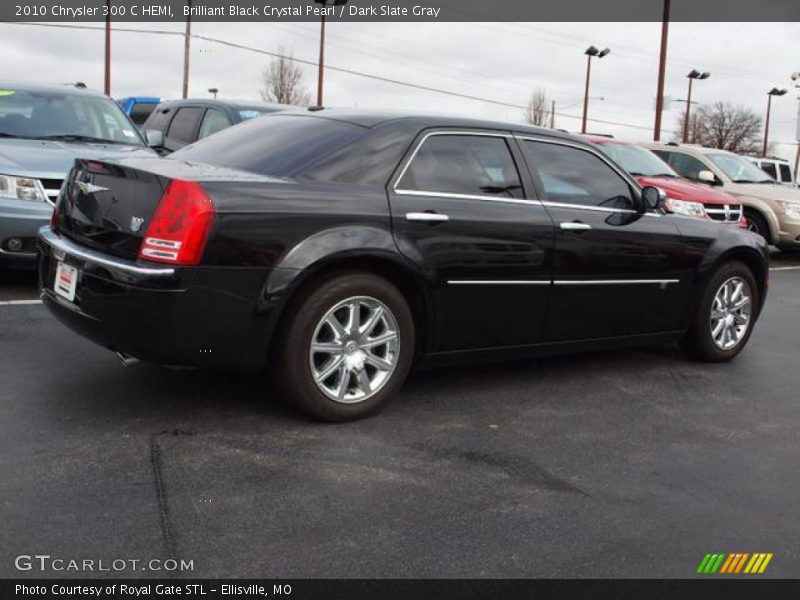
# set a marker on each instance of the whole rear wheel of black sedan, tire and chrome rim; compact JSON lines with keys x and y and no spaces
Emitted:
{"x":348,"y":348}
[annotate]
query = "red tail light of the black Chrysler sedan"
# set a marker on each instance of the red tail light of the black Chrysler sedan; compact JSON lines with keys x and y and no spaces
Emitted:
{"x":179,"y":227}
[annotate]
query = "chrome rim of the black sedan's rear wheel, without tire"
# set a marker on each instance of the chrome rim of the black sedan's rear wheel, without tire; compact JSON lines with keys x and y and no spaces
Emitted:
{"x":354,"y":349}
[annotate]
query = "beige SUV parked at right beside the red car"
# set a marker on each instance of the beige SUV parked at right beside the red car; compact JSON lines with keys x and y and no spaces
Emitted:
{"x":771,"y":209}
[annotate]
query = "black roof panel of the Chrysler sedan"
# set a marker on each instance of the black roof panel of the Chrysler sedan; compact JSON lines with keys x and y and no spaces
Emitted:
{"x":374,"y":118}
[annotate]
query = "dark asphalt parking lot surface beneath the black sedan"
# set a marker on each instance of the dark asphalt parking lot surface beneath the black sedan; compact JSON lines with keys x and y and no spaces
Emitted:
{"x":633,"y":464}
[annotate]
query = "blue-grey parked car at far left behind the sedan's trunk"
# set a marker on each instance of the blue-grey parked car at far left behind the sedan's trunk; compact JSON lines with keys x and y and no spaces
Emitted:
{"x":42,"y":131}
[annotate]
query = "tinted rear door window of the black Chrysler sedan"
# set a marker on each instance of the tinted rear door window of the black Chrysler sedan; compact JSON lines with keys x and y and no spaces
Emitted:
{"x":466,"y":165}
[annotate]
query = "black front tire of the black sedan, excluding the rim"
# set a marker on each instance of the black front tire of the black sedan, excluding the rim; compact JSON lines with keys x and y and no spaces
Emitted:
{"x":699,"y":342}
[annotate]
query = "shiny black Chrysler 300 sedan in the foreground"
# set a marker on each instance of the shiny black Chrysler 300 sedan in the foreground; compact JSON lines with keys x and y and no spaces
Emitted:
{"x":339,"y":247}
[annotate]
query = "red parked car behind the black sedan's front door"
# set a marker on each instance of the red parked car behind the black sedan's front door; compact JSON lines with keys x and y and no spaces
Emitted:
{"x":682,"y":196}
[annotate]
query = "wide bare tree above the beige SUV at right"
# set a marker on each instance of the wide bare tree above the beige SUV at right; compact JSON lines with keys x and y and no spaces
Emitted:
{"x":726,"y":126}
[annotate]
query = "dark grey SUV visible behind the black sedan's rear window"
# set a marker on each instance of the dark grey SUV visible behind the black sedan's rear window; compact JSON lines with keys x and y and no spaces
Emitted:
{"x":182,"y":122}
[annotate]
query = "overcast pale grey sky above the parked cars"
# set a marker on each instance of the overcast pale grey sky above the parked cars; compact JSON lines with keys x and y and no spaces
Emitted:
{"x":502,"y":62}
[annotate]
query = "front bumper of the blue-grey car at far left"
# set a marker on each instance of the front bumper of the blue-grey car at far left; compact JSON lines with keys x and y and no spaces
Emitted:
{"x":19,"y":223}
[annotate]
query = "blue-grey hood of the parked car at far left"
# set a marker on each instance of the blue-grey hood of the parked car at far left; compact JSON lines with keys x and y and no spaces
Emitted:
{"x":46,"y":159}
